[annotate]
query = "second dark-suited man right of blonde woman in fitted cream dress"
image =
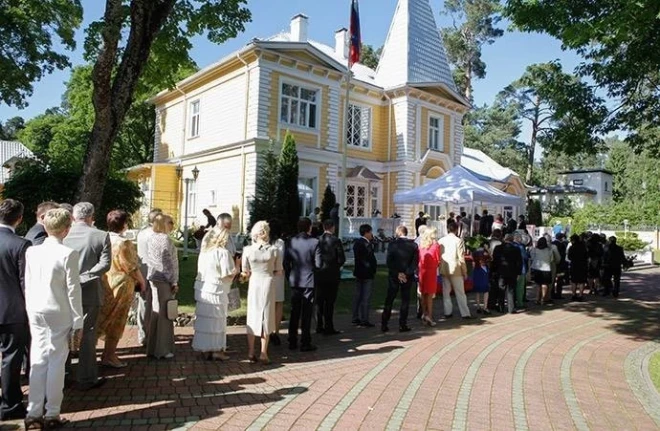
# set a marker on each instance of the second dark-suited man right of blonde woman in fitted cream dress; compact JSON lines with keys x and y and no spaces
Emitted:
{"x":327,"y":278}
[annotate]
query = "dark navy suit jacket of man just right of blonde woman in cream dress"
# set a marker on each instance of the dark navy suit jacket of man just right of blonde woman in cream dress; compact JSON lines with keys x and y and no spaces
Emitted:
{"x":302,"y":257}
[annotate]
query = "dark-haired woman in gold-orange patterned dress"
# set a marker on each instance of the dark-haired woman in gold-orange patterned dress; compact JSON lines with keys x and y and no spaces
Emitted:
{"x":120,"y":283}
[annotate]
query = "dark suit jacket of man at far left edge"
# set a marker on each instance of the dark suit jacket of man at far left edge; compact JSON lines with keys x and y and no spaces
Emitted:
{"x":12,"y":277}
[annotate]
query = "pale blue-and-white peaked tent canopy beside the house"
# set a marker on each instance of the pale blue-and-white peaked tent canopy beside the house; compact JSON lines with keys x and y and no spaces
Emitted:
{"x":457,"y":186}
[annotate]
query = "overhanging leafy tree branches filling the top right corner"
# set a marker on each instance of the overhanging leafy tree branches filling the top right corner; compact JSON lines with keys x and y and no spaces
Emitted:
{"x":620,"y":44}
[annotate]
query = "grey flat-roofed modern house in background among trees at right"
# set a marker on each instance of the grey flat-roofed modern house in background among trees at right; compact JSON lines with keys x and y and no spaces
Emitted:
{"x":576,"y":188}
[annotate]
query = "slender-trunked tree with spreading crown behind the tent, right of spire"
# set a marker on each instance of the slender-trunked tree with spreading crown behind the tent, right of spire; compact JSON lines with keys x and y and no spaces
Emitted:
{"x":561,"y":109}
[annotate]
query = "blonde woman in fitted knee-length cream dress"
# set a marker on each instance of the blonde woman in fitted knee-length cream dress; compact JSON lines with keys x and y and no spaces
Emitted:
{"x":261,"y":262}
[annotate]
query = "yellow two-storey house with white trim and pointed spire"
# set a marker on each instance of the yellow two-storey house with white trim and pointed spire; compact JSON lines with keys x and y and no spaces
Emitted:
{"x":405,"y":121}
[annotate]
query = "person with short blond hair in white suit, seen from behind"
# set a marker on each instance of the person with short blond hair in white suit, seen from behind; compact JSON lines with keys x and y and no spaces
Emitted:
{"x":54,"y":307}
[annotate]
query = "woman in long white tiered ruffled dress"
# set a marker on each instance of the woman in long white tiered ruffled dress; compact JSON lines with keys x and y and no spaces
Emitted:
{"x":215,"y":272}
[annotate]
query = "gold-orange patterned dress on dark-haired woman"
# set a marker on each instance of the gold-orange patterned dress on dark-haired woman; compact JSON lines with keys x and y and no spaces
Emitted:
{"x":118,"y":287}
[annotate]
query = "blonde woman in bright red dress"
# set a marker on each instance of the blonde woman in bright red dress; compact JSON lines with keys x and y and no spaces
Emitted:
{"x":429,"y":261}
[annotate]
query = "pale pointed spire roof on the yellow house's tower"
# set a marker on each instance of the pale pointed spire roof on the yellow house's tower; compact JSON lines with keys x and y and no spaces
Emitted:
{"x":413,"y":52}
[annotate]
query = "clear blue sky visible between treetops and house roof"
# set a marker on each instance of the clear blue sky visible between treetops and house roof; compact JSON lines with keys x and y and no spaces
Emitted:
{"x":506,"y":59}
